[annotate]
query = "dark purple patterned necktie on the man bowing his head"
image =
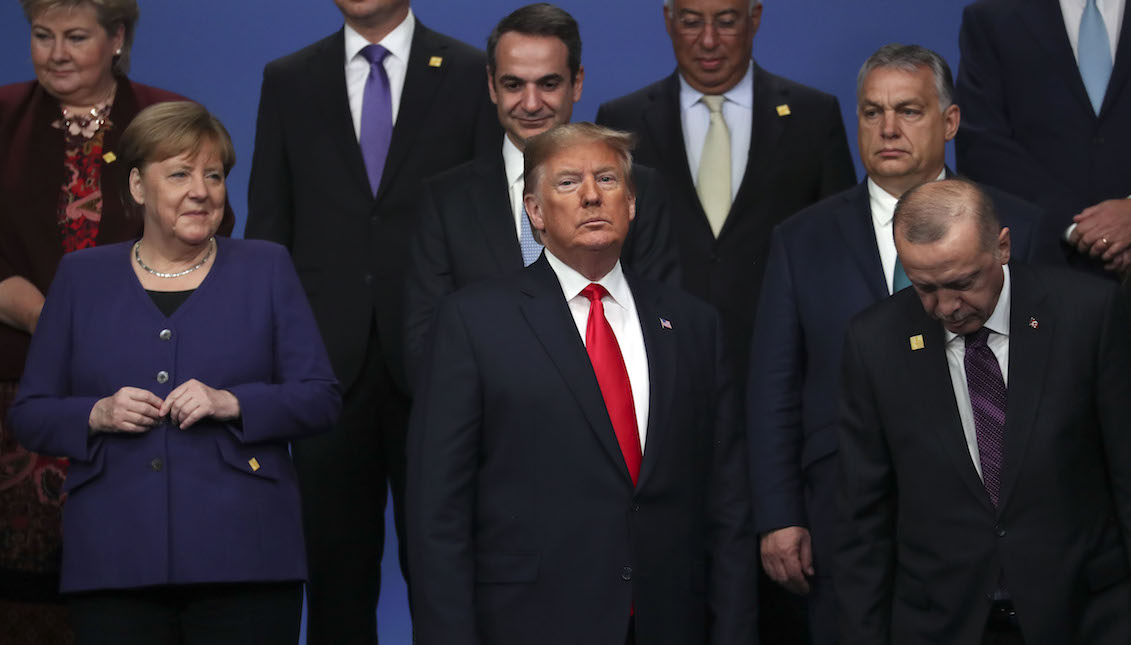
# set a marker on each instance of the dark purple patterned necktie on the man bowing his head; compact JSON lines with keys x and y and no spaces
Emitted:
{"x":988,"y":399}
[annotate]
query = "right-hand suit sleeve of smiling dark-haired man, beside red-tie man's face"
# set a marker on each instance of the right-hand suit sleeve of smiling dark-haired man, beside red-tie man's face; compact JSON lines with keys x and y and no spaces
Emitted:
{"x":650,"y":250}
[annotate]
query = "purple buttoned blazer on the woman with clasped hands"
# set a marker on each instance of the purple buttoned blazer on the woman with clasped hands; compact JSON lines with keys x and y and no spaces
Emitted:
{"x":218,"y":502}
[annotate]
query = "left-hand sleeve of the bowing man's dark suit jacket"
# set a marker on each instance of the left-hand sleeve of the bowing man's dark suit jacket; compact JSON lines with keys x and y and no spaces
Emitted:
{"x":866,"y":546}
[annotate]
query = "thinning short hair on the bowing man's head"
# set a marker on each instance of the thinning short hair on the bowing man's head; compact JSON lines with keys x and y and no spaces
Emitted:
{"x":926,"y":213}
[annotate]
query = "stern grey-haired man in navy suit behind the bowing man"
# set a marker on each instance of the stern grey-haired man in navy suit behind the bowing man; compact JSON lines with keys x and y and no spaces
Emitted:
{"x":827,"y":264}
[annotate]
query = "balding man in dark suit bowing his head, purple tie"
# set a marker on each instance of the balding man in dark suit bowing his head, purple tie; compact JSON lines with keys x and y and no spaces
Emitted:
{"x":986,"y":466}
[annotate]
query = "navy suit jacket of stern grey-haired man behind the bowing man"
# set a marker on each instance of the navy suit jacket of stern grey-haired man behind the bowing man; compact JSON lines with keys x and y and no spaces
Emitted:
{"x":825,"y":269}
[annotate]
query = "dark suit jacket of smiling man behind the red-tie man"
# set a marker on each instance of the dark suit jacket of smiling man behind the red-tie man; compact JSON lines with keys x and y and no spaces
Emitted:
{"x":465,"y":233}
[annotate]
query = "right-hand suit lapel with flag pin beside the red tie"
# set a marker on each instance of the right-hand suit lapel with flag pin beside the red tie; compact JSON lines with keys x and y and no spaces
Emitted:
{"x":661,"y":347}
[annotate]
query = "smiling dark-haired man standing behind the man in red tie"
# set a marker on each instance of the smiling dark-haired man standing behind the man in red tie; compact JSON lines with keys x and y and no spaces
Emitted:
{"x":471,"y":223}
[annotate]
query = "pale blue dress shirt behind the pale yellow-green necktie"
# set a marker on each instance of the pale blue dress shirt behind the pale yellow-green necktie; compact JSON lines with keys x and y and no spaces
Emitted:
{"x":738,"y":113}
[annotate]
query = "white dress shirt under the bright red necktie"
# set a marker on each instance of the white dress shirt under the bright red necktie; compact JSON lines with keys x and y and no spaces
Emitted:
{"x":620,"y":312}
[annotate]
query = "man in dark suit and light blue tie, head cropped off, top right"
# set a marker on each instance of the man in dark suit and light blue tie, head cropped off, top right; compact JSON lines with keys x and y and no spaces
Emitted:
{"x":1048,"y":117}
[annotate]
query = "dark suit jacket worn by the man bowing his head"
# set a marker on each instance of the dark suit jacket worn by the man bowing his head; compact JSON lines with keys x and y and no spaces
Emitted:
{"x":921,"y":545}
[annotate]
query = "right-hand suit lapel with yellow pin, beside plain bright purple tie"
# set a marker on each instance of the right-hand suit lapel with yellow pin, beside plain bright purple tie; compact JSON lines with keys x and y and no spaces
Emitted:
{"x":422,"y":81}
